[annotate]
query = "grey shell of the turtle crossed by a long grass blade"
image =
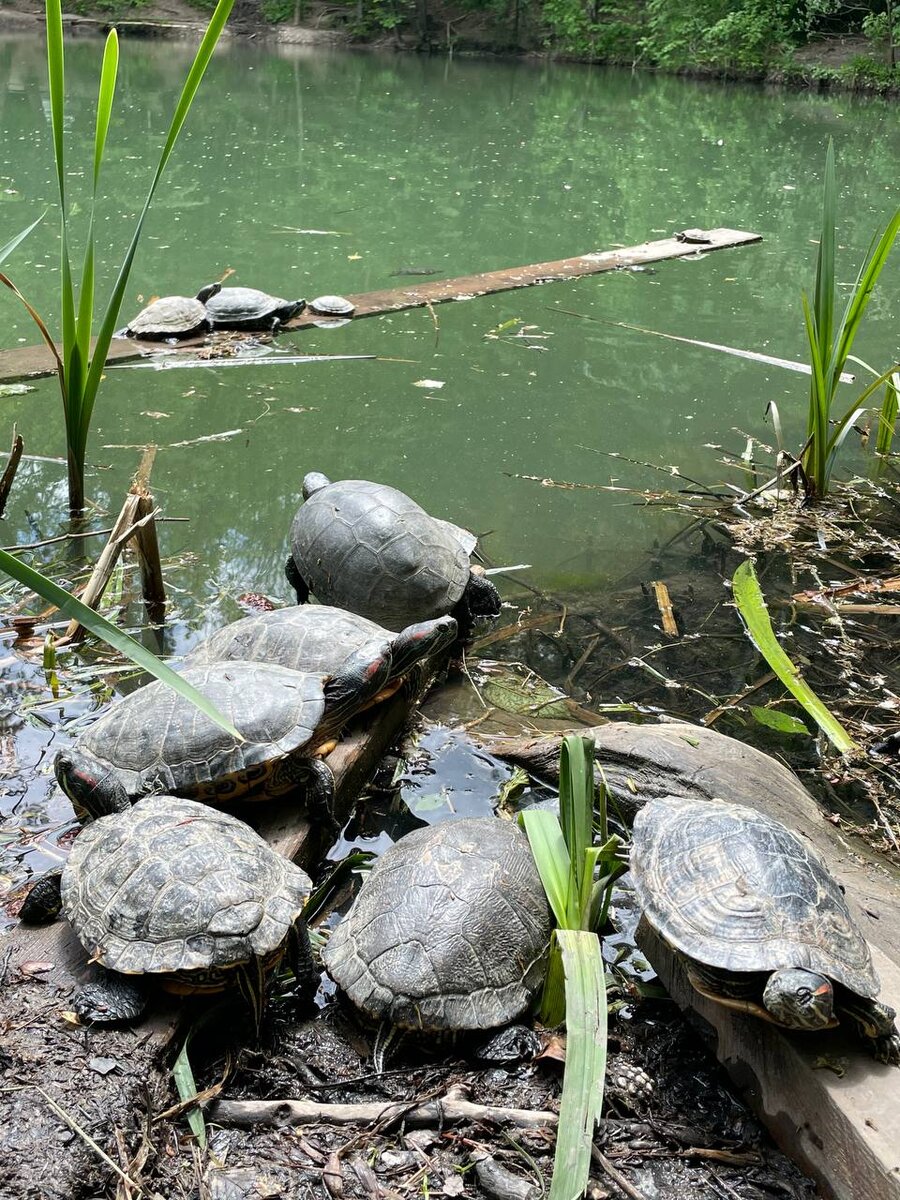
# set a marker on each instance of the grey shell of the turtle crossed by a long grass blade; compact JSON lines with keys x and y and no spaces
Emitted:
{"x":157,"y":741}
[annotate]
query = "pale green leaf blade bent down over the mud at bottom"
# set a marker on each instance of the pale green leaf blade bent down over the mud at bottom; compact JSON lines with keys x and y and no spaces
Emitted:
{"x":585,"y":1063}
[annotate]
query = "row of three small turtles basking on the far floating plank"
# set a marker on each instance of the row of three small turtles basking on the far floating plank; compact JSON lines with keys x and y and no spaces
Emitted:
{"x":236,"y":309}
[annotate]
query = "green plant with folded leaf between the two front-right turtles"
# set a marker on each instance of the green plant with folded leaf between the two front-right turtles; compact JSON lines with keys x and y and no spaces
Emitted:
{"x":578,"y":879}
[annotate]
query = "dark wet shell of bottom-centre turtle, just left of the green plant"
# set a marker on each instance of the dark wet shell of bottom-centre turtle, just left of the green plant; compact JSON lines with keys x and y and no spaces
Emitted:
{"x":449,"y":932}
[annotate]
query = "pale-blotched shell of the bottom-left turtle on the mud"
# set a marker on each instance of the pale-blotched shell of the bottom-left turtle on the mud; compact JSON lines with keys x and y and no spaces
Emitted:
{"x":172,"y":886}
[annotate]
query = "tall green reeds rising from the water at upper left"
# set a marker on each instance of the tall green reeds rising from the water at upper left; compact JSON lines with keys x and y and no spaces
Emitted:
{"x":80,"y":365}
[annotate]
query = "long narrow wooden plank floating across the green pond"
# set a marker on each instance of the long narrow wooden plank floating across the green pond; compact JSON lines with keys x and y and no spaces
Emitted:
{"x":34,"y":362}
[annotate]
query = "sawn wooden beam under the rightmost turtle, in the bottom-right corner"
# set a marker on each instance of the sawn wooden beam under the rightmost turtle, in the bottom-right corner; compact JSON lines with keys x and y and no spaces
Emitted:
{"x":844,"y":1130}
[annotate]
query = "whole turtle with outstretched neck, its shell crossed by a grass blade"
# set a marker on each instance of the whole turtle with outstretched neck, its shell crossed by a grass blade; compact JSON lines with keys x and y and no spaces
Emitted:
{"x":155,"y":741}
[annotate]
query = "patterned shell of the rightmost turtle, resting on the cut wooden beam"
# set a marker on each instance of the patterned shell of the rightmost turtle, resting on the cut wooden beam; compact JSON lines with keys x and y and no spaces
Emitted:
{"x":737,"y":891}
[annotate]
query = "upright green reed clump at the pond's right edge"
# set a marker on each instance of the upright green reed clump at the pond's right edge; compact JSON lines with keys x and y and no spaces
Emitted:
{"x":831,"y":344}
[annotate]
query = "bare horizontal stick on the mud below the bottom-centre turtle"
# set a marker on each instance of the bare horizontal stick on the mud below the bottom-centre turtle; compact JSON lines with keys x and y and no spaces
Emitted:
{"x":247,"y":1114}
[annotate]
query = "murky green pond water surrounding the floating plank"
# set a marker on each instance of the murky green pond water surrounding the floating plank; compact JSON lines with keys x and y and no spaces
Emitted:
{"x":309,"y":172}
